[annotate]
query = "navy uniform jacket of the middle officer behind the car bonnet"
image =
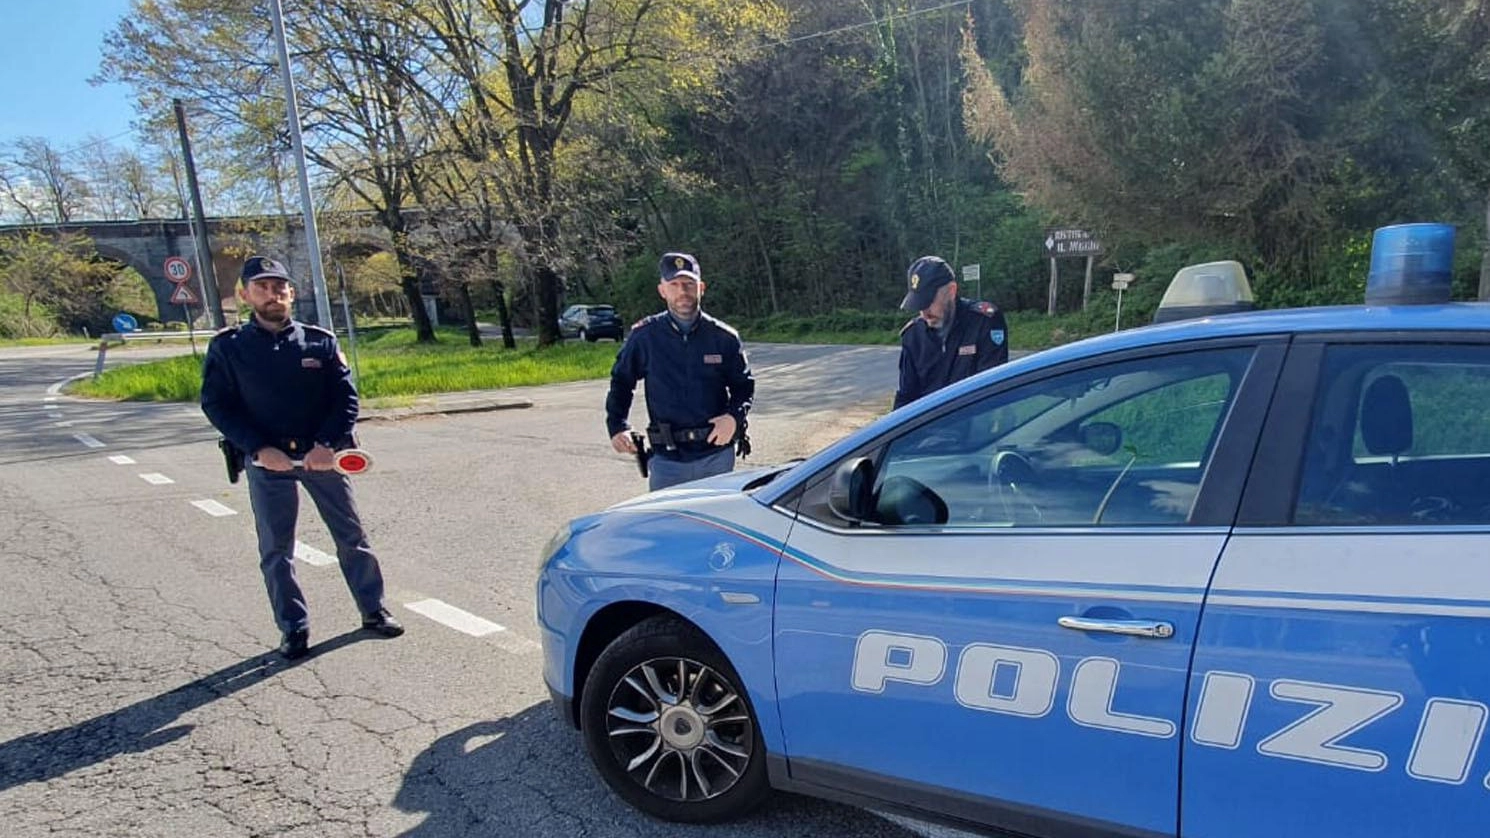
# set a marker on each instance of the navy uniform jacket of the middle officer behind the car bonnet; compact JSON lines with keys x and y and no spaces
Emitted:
{"x":691,"y":377}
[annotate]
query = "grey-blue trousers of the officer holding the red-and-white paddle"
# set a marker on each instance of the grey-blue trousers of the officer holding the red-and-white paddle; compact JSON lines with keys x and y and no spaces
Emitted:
{"x":275,"y":497}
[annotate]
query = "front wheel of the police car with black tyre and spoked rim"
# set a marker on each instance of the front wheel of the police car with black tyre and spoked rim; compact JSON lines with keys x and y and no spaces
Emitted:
{"x":691,"y":755}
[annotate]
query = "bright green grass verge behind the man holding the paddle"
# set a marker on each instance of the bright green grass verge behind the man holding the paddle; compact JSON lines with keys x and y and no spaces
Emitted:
{"x":391,"y":368}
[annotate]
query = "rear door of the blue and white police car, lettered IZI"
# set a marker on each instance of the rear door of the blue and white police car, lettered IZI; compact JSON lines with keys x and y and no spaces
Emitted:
{"x":1342,"y":678}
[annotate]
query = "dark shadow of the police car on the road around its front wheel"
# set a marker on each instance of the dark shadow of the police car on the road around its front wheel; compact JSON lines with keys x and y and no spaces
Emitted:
{"x":530,"y":776}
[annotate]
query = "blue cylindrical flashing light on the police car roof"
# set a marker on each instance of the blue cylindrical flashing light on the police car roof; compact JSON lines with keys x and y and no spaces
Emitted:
{"x":1412,"y":265}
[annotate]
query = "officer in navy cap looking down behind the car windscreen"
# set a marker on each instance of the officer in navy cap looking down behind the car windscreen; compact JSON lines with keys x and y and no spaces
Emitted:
{"x":950,"y":339}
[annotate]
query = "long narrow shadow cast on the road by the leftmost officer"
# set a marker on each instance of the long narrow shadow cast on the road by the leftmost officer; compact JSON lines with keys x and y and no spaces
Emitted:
{"x":139,"y":727}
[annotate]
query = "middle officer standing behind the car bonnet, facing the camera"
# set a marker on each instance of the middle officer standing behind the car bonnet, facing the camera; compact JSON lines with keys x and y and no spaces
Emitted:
{"x":700,"y":385}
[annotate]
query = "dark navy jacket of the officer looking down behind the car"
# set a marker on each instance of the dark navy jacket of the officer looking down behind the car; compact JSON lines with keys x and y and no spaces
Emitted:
{"x":977,"y":341}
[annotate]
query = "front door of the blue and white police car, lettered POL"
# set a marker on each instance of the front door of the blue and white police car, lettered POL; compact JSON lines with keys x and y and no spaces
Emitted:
{"x":1005,"y":636}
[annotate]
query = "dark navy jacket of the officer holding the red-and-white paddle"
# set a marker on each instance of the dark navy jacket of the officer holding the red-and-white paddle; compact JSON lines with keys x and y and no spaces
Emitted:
{"x":290,"y":390}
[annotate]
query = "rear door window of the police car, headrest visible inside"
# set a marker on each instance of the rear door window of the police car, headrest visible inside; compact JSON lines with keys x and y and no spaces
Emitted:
{"x":1397,"y":438}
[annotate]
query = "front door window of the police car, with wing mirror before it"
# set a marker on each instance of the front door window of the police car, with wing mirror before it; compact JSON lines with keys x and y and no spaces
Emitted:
{"x":1118,"y":445}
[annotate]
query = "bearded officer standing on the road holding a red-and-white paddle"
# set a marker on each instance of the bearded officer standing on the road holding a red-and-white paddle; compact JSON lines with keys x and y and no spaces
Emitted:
{"x":281,"y":393}
